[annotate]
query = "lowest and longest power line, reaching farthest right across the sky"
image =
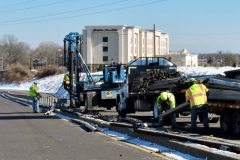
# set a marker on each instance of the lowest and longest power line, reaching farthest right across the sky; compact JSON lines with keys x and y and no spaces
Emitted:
{"x":133,"y":6}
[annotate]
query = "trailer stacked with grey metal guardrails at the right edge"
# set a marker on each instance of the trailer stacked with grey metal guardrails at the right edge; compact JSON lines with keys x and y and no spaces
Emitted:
{"x":223,"y":100}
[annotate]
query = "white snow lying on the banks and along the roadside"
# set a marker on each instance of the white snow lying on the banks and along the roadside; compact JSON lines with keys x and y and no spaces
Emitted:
{"x":52,"y":85}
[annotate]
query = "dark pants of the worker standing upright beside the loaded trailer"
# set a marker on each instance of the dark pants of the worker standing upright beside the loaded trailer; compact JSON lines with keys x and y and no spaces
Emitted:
{"x":199,"y":109}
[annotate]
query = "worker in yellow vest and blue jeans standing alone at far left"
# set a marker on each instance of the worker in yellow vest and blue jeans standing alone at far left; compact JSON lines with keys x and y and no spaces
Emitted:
{"x":33,"y":92}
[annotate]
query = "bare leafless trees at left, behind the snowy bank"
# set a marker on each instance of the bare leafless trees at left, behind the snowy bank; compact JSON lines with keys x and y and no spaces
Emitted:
{"x":15,"y":52}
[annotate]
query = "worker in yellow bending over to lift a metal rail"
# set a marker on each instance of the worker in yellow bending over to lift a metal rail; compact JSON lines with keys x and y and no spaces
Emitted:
{"x":165,"y":102}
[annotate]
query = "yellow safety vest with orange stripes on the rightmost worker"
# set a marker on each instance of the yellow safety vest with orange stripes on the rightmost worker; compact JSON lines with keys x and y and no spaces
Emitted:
{"x":196,"y":94}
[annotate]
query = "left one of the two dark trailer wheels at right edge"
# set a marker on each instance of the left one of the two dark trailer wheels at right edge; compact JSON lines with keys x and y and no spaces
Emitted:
{"x":225,"y":121}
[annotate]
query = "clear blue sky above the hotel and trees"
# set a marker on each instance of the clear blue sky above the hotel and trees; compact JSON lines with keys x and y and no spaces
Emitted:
{"x":200,"y":26}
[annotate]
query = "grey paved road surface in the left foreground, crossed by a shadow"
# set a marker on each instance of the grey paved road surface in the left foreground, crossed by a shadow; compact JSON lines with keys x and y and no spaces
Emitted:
{"x":25,"y":135}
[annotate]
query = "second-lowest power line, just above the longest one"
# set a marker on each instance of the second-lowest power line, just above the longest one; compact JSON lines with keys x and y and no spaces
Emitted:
{"x":64,"y":12}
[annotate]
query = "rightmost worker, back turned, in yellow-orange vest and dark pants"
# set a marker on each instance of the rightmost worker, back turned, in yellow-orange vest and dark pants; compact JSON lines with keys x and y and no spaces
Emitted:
{"x":196,"y":94}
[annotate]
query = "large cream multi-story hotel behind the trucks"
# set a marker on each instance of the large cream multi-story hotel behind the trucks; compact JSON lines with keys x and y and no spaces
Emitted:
{"x":120,"y":44}
